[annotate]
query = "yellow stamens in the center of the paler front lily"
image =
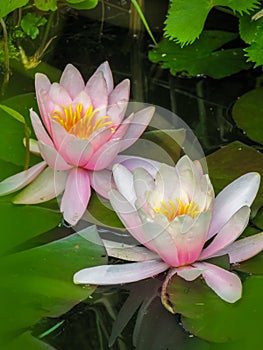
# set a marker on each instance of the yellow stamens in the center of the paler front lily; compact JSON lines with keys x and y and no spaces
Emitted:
{"x":172,"y":209}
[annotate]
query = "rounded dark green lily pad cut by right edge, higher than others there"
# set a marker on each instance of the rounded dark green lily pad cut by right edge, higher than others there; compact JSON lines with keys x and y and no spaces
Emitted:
{"x":248,"y":114}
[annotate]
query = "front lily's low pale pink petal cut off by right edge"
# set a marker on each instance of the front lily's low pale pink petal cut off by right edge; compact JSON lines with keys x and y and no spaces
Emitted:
{"x":244,"y":249}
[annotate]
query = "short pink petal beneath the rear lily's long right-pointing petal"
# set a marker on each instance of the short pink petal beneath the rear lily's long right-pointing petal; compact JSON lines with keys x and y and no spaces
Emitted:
{"x":103,"y":156}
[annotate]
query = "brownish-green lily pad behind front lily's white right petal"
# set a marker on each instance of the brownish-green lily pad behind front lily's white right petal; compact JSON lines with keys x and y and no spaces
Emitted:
{"x":232,"y":161}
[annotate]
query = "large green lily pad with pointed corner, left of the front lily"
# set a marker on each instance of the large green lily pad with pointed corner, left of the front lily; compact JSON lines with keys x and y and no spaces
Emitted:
{"x":38,"y":282}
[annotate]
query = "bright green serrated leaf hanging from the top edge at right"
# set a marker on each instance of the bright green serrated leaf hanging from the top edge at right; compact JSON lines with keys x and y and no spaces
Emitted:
{"x":186,"y":19}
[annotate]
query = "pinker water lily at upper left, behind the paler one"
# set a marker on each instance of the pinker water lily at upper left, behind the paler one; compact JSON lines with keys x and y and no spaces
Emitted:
{"x":81,"y":131}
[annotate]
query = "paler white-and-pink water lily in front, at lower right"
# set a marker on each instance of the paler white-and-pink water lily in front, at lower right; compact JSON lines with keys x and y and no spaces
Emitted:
{"x":175,"y":216}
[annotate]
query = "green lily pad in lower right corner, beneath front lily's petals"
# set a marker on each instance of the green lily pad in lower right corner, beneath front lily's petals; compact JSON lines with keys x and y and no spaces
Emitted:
{"x":205,"y":315}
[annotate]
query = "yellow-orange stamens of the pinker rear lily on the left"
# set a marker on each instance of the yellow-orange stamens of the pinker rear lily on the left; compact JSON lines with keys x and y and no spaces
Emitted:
{"x":79,"y":122}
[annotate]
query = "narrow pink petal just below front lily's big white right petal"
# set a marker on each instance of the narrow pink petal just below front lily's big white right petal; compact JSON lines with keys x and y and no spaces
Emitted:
{"x":228,"y":233}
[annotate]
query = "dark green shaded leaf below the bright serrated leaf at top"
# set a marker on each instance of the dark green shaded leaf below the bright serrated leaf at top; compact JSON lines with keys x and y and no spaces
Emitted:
{"x":204,"y":57}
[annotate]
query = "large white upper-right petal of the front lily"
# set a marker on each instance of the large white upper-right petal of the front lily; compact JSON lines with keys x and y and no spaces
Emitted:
{"x":239,"y":193}
